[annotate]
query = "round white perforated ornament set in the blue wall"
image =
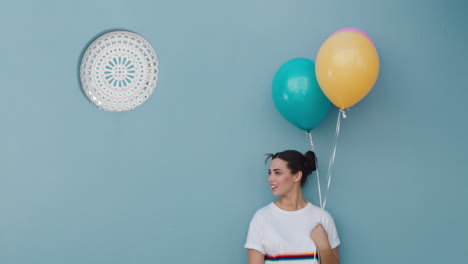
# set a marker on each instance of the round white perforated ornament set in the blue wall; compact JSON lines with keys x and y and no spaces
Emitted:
{"x":119,"y":71}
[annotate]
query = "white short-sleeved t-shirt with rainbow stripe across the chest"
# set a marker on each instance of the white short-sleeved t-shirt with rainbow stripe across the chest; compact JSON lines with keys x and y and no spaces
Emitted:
{"x":284,"y":236}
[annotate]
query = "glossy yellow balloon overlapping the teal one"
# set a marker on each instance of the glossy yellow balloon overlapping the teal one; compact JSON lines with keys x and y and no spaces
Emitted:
{"x":347,"y":66}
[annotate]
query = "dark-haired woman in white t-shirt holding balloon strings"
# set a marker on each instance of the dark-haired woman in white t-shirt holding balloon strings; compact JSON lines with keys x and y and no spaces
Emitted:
{"x":291,"y":230}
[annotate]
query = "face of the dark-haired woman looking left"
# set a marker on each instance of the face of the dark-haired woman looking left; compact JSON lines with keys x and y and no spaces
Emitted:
{"x":281,"y":180}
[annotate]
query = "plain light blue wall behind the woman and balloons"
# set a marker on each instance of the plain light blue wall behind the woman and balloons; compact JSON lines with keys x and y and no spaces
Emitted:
{"x":178,"y":179}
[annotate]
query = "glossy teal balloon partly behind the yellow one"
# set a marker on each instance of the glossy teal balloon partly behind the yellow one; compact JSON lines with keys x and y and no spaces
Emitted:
{"x":297,"y":94}
